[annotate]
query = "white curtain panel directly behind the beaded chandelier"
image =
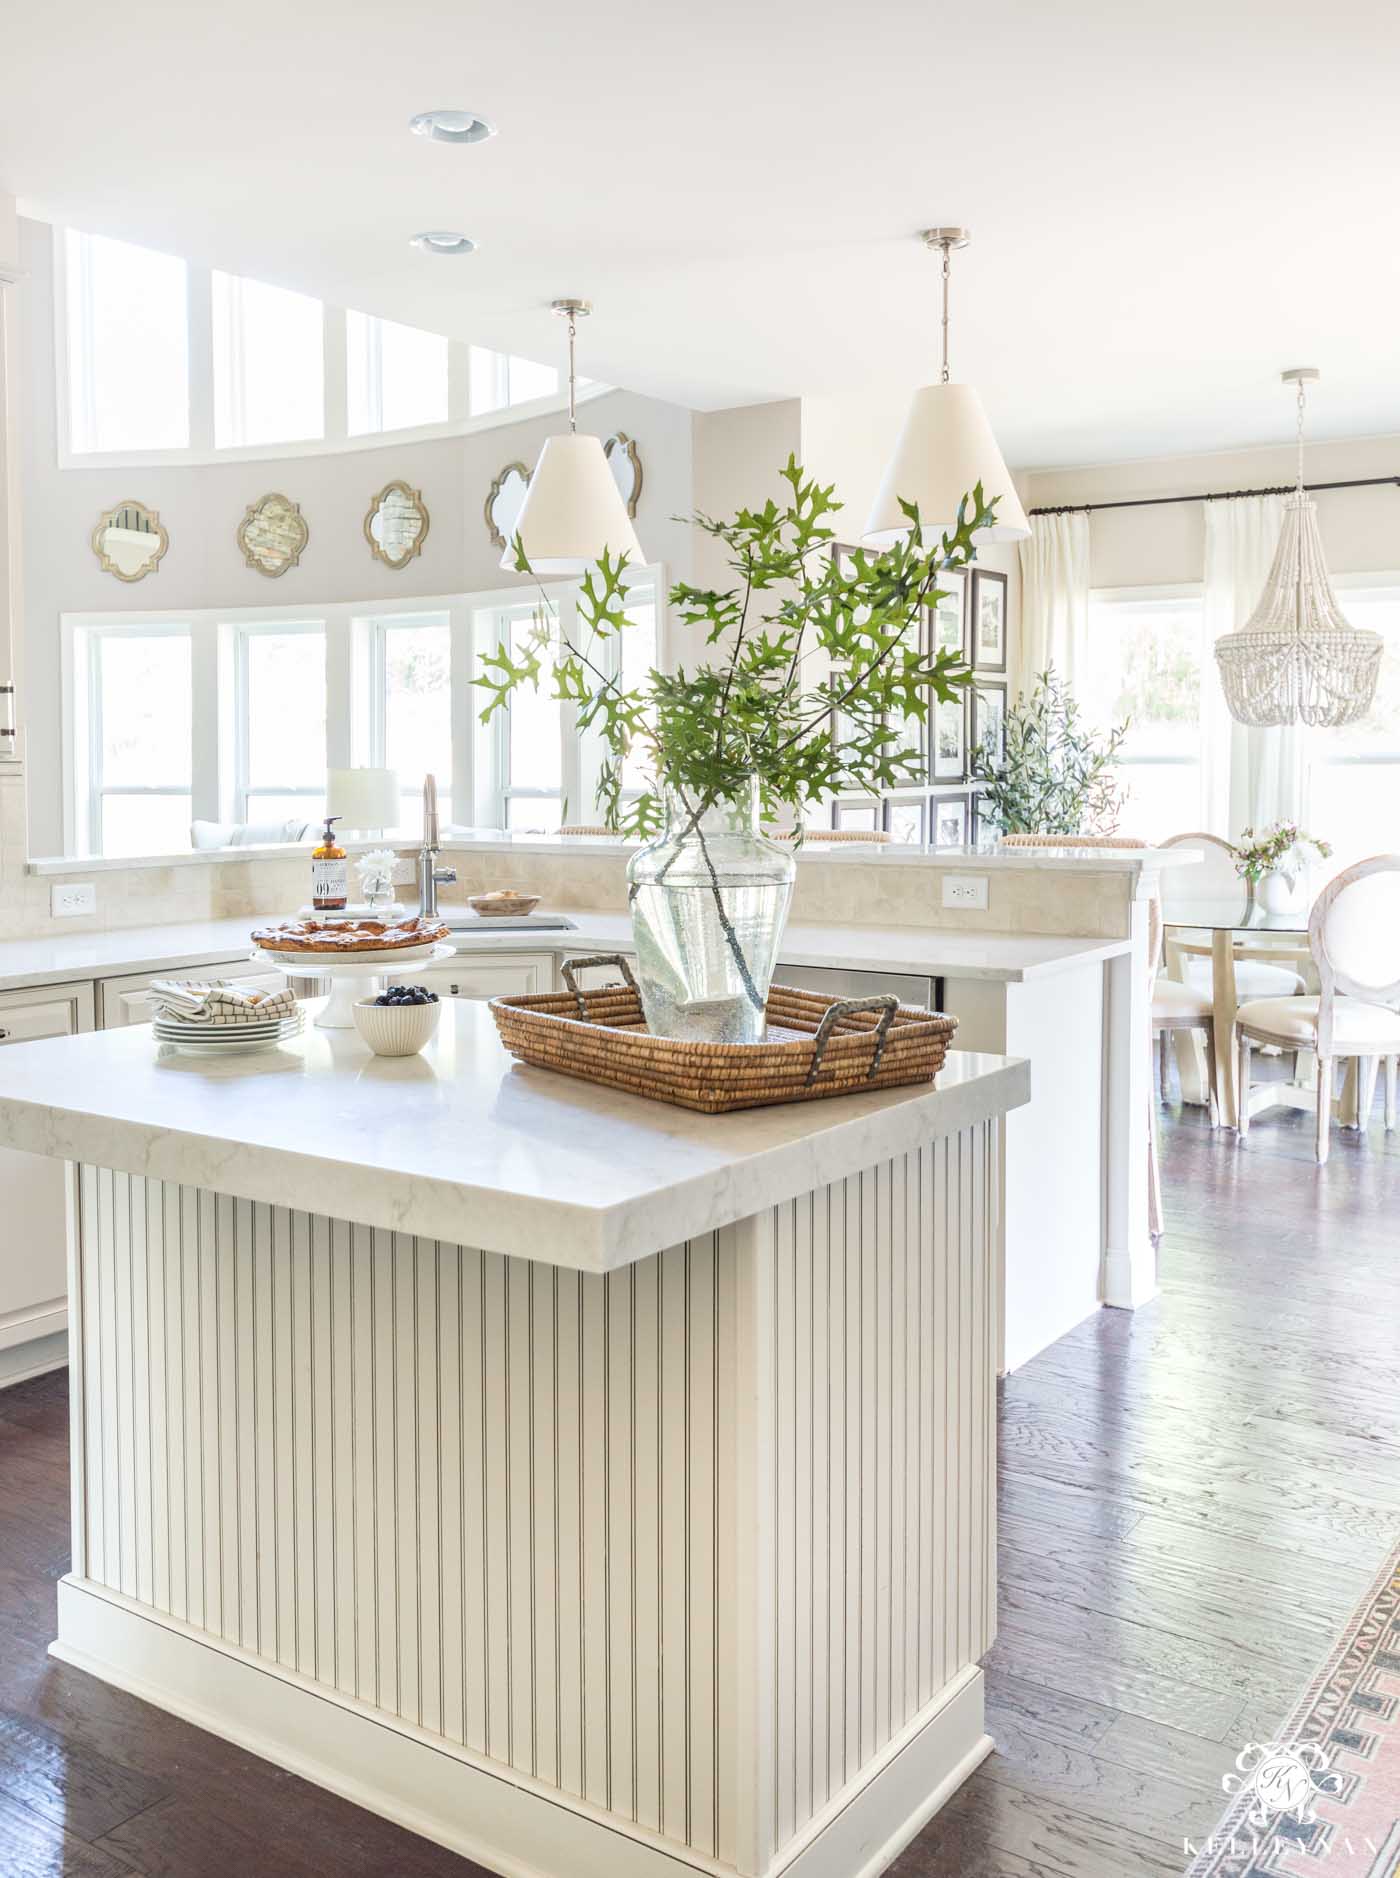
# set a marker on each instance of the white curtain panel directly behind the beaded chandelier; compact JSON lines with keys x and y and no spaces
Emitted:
{"x":1251,"y":777}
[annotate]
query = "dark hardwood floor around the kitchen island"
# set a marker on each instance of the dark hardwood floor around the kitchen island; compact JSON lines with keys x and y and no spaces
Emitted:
{"x":1194,"y":1498}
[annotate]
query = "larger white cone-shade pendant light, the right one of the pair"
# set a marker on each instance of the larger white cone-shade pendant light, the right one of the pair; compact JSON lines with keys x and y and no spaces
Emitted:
{"x":944,"y":452}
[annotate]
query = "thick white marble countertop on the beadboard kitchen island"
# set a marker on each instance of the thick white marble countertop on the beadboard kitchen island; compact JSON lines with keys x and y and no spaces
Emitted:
{"x":463,"y":1143}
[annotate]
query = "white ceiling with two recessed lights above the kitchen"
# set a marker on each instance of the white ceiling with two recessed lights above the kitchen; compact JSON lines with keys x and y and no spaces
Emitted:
{"x":1170,"y":202}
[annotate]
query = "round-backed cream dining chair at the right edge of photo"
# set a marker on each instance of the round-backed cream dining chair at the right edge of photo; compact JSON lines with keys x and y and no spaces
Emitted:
{"x":1354,"y":936}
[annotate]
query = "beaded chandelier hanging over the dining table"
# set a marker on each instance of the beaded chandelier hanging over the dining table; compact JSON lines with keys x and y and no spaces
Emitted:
{"x":1299,"y":660}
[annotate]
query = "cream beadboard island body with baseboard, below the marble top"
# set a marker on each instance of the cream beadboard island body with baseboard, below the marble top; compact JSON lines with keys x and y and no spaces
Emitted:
{"x":679,"y":1567}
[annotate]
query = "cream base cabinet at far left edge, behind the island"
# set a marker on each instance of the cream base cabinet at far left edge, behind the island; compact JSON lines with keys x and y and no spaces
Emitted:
{"x":33,"y":1201}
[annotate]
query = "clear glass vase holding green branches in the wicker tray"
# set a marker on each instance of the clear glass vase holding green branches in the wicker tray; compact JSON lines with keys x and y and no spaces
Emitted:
{"x":709,"y":904}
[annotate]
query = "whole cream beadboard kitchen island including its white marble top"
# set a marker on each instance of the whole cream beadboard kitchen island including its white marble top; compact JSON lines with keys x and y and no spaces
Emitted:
{"x":587,"y":1485}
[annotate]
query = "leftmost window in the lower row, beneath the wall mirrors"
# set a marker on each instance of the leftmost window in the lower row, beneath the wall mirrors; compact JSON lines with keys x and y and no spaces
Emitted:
{"x":138,"y":743}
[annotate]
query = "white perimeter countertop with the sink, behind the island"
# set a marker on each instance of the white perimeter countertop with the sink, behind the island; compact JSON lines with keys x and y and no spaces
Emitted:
{"x":909,"y":949}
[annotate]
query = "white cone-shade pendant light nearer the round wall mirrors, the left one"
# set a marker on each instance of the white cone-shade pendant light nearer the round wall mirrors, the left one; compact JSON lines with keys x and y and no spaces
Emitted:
{"x":572,"y":512}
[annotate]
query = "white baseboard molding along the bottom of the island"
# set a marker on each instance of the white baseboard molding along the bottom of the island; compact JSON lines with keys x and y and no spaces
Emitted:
{"x":478,"y":1811}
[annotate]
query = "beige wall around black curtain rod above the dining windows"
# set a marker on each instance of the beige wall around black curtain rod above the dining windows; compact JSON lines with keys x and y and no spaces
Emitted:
{"x":1153,"y":547}
